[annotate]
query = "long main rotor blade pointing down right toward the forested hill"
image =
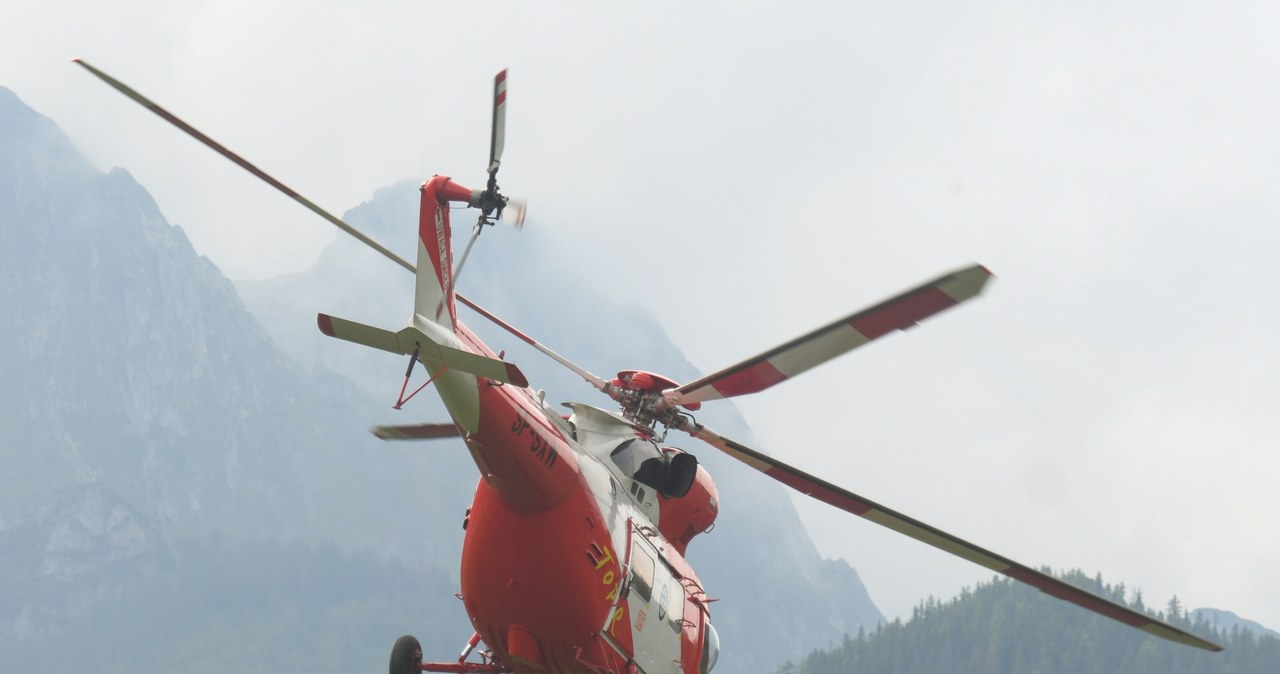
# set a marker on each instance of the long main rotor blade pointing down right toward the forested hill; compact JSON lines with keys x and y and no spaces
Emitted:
{"x":866,"y":508}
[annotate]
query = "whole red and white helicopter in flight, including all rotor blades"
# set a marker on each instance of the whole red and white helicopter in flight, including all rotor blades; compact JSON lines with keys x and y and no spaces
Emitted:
{"x":606,"y":505}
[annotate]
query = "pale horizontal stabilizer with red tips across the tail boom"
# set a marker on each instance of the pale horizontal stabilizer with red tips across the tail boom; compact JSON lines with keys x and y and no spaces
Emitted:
{"x":428,"y":351}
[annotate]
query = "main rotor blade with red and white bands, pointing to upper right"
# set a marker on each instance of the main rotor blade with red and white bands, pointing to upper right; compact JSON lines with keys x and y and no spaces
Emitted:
{"x":838,"y":338}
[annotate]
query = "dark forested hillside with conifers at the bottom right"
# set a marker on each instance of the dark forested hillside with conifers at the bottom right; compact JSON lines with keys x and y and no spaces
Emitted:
{"x":1005,"y":627}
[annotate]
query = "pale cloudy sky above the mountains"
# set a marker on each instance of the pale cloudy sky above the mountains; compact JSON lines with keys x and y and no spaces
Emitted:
{"x":751,"y":171}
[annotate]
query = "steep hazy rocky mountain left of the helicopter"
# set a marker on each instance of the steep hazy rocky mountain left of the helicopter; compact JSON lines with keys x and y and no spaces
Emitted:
{"x":159,"y":455}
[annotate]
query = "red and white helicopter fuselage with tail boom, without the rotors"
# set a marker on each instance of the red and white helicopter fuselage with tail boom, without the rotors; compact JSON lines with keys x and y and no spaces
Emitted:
{"x":566,"y":562}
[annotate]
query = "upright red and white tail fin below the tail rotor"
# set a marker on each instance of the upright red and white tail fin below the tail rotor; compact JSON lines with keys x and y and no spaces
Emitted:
{"x":435,"y":292}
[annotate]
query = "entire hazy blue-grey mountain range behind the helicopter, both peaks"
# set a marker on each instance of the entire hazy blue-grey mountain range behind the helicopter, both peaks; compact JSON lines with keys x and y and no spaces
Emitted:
{"x":184,"y":488}
